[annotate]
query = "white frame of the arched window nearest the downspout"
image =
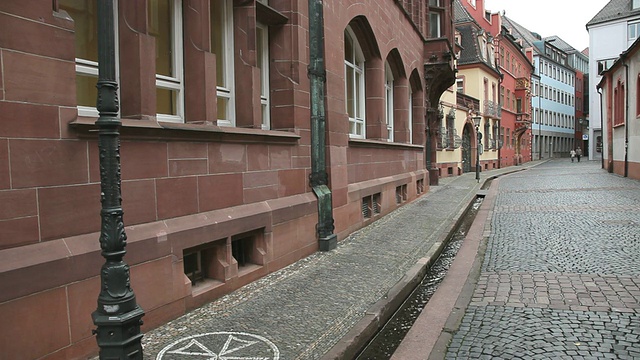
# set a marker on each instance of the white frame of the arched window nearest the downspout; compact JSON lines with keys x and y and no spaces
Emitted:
{"x":359,"y":120}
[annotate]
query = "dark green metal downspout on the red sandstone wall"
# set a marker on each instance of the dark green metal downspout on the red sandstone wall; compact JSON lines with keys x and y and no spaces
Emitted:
{"x":318,"y":178}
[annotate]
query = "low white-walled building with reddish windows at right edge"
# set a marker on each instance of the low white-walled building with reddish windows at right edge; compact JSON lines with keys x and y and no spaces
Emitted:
{"x":620,"y":88}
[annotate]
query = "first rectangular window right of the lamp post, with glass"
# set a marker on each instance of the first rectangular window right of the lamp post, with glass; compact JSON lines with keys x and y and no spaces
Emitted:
{"x":165,"y":24}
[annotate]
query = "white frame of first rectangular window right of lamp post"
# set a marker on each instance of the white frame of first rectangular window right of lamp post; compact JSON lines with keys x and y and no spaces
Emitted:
{"x":174,"y":82}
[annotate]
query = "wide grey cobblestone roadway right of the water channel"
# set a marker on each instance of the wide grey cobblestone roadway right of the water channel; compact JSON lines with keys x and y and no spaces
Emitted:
{"x":561,"y":271}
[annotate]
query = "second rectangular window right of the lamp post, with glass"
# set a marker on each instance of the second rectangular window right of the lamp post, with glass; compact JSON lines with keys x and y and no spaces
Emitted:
{"x":221,"y":18}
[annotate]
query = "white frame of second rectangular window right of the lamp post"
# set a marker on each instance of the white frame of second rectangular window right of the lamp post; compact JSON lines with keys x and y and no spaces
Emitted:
{"x":228,"y":91}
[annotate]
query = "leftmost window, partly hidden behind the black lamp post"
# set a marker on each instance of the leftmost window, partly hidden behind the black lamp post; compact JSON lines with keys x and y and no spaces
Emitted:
{"x":85,"y":17}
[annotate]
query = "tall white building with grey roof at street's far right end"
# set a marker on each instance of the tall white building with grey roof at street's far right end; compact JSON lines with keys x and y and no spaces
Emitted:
{"x":611,"y":32}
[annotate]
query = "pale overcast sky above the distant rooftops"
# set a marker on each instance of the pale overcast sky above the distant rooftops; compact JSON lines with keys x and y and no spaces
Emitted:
{"x":565,"y":18}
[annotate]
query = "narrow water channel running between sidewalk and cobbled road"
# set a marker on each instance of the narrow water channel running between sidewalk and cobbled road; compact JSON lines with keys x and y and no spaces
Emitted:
{"x":385,"y":342}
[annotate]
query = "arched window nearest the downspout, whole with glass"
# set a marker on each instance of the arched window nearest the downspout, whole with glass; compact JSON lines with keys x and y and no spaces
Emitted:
{"x":354,"y":84}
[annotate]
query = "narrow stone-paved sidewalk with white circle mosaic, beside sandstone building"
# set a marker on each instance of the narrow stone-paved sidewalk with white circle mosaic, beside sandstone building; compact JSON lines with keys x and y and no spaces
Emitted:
{"x":303,"y":310}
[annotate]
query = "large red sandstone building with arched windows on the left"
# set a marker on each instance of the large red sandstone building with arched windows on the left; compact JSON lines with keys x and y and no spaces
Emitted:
{"x":216,"y":147}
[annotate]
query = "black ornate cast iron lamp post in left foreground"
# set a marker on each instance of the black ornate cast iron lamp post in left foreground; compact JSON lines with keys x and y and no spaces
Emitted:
{"x":118,"y":316}
